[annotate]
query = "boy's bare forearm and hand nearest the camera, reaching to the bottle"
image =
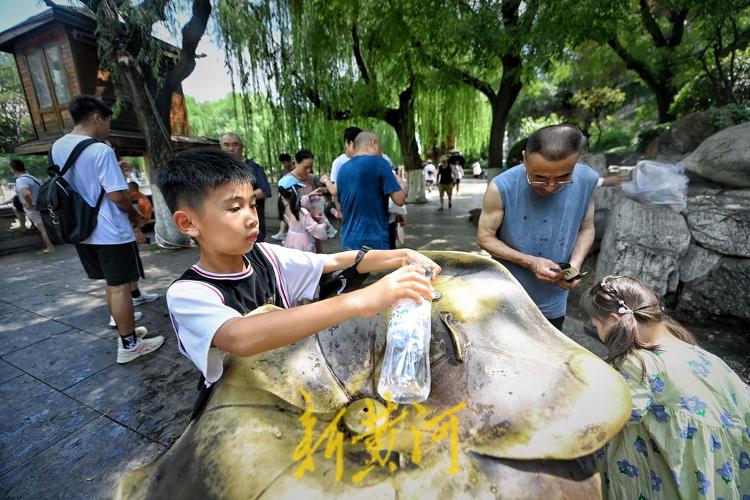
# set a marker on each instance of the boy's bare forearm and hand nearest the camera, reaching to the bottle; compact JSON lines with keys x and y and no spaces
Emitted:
{"x":251,"y":335}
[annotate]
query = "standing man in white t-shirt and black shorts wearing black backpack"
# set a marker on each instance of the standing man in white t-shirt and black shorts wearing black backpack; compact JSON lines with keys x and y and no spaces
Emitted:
{"x":106,"y":245}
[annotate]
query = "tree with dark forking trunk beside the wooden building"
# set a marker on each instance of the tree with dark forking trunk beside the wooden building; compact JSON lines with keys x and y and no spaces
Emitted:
{"x":144,"y":78}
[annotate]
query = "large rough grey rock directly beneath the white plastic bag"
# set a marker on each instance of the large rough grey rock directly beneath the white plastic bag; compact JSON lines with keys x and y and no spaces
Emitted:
{"x":644,"y":242}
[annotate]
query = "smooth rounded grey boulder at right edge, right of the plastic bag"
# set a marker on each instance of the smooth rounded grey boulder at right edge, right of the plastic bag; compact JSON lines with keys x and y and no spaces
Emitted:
{"x":724,"y":157}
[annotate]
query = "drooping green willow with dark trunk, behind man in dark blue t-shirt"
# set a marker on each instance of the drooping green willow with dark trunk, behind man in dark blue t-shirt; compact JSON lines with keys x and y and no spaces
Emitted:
{"x":344,"y":59}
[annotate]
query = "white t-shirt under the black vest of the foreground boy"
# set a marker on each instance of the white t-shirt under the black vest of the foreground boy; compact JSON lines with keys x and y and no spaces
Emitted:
{"x":197,"y":308}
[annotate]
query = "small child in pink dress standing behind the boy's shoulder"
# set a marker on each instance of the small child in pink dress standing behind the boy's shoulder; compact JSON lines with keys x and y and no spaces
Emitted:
{"x":304,"y":229}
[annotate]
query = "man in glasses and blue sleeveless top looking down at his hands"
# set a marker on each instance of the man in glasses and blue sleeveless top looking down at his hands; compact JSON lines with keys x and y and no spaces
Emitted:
{"x":541,"y":213}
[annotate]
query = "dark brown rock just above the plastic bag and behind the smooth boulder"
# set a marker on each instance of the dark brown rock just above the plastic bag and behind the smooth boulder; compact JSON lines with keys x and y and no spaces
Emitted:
{"x":683,"y":136}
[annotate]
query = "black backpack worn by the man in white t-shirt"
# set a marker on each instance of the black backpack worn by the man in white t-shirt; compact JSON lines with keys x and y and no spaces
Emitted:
{"x":65,"y":214}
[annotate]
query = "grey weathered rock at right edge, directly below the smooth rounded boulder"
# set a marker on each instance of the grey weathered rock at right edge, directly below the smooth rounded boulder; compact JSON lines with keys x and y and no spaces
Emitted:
{"x":721,"y":223}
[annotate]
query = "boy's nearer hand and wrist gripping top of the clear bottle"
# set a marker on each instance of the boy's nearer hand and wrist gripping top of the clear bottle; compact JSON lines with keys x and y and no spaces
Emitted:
{"x":408,"y":282}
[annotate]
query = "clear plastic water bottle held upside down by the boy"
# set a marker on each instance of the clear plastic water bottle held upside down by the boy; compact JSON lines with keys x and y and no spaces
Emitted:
{"x":405,"y":371}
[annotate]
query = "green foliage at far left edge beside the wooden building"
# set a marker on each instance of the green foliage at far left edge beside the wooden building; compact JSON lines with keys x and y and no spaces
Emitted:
{"x":15,"y":123}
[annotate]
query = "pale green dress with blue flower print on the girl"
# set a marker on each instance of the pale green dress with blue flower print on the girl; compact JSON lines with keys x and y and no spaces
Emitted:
{"x":689,"y":432}
